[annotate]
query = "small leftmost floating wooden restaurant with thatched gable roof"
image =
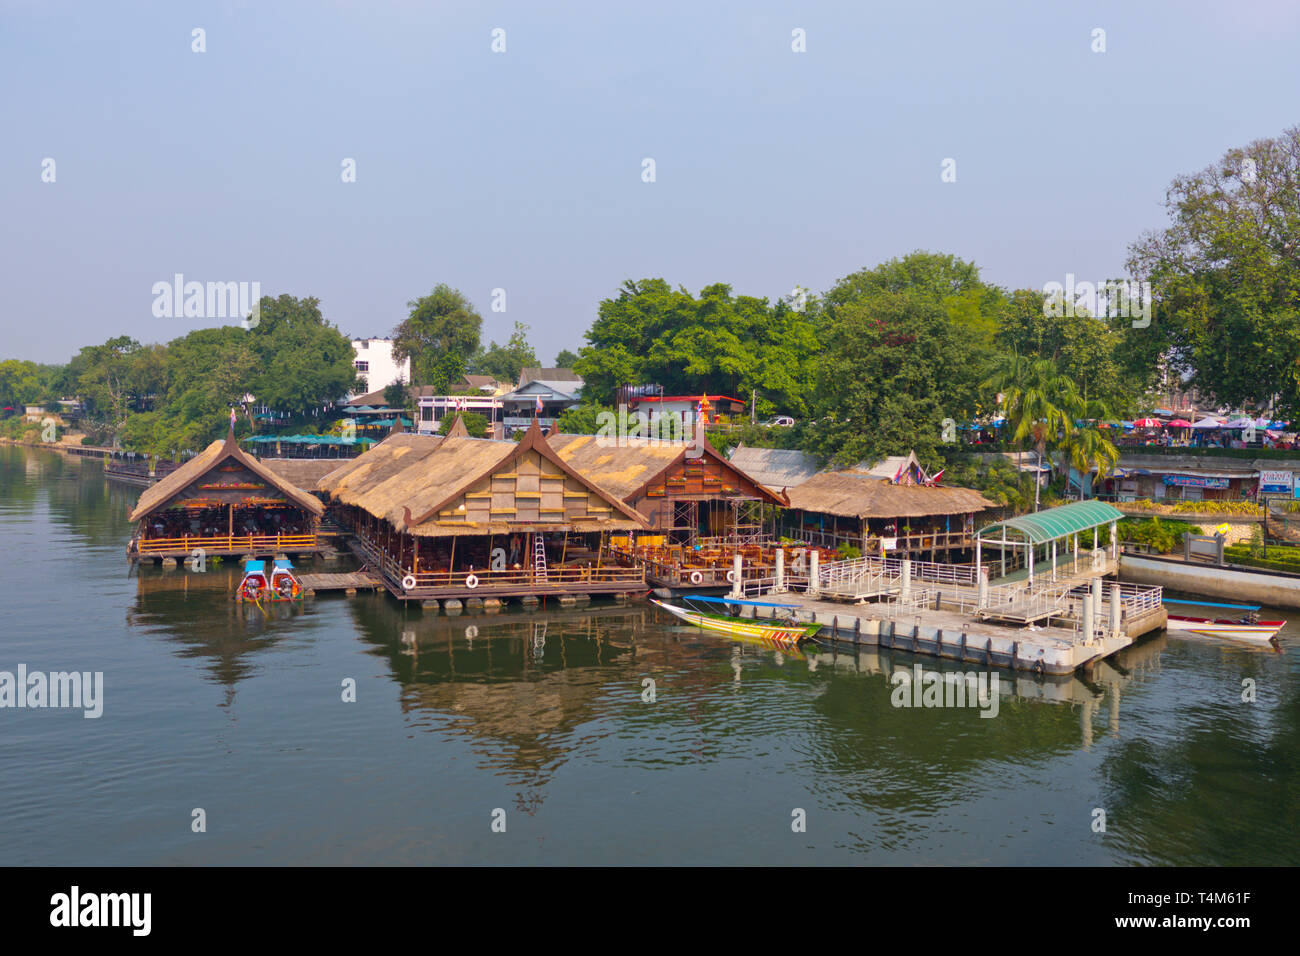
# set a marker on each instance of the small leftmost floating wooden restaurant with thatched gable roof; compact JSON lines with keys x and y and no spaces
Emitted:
{"x":224,"y":503}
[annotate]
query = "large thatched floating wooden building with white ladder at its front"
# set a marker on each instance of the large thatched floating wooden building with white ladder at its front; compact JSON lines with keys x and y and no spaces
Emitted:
{"x":457,"y":518}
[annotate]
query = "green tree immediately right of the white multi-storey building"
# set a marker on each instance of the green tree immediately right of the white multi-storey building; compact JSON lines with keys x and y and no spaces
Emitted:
{"x":440,"y":338}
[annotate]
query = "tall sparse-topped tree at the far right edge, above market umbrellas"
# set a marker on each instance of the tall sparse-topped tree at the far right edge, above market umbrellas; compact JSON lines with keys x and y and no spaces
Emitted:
{"x":1227,"y":276}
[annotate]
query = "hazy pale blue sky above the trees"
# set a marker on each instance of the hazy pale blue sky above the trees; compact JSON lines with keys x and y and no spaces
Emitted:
{"x":523,"y":170}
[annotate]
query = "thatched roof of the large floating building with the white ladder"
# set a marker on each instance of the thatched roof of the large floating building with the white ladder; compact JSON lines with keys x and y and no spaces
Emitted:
{"x":406,"y":479}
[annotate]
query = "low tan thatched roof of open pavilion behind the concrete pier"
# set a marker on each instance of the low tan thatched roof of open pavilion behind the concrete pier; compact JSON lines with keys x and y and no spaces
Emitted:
{"x":860,"y":495}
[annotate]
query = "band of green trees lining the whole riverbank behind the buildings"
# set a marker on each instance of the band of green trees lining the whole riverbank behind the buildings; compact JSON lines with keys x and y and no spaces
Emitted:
{"x":915,"y":354}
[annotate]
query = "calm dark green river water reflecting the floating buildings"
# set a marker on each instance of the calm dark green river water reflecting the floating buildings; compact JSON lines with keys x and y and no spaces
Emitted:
{"x":219,"y":707}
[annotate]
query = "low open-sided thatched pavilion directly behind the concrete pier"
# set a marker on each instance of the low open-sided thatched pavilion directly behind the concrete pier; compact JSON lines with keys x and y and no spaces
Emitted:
{"x":890,"y":508}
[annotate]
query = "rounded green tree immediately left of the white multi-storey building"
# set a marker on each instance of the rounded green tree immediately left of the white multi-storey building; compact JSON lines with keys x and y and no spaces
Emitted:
{"x":305,"y":362}
